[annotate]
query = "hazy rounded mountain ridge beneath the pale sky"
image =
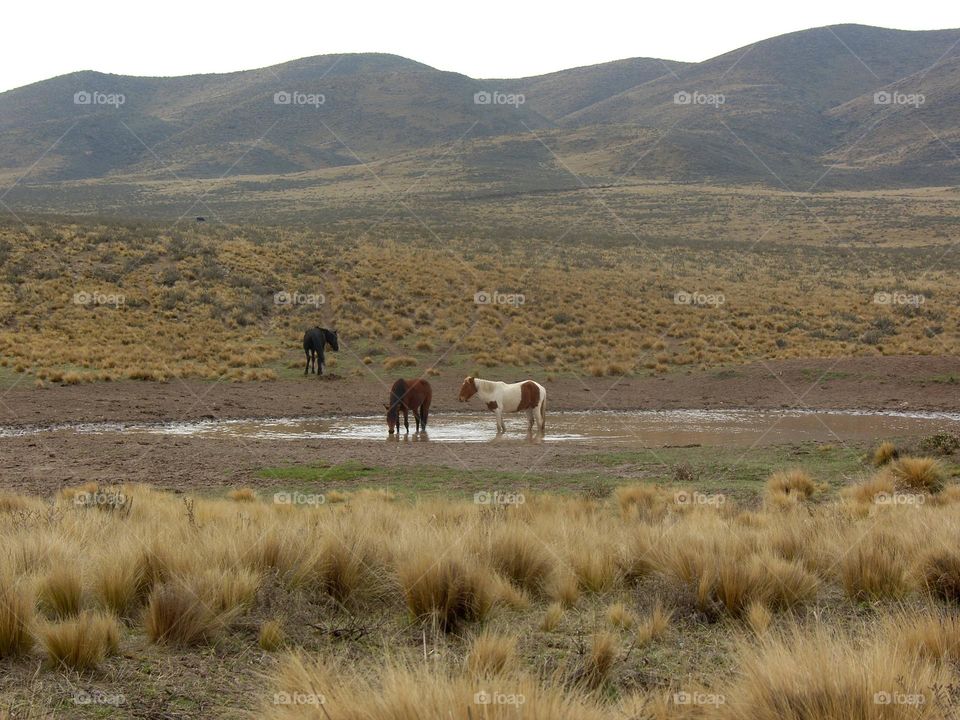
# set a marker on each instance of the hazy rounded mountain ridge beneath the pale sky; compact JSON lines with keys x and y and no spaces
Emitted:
{"x":797,"y":110}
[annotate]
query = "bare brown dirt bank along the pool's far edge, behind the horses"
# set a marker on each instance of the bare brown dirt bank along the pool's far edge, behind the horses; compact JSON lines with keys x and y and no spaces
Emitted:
{"x":891,"y":383}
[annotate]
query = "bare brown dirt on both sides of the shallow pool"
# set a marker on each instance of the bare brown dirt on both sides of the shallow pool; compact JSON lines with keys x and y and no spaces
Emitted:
{"x":45,"y":461}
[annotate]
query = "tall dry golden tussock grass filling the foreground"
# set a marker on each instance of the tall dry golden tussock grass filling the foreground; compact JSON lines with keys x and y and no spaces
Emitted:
{"x":651,"y":602}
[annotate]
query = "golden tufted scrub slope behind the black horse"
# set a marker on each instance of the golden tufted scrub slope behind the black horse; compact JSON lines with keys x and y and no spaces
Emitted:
{"x":88,"y":302}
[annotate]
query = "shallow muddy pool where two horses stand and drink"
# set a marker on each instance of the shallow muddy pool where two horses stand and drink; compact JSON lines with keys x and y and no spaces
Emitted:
{"x":644,"y":428}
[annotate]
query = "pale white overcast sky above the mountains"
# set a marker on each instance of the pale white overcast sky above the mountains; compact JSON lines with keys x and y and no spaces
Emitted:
{"x":488,"y":39}
